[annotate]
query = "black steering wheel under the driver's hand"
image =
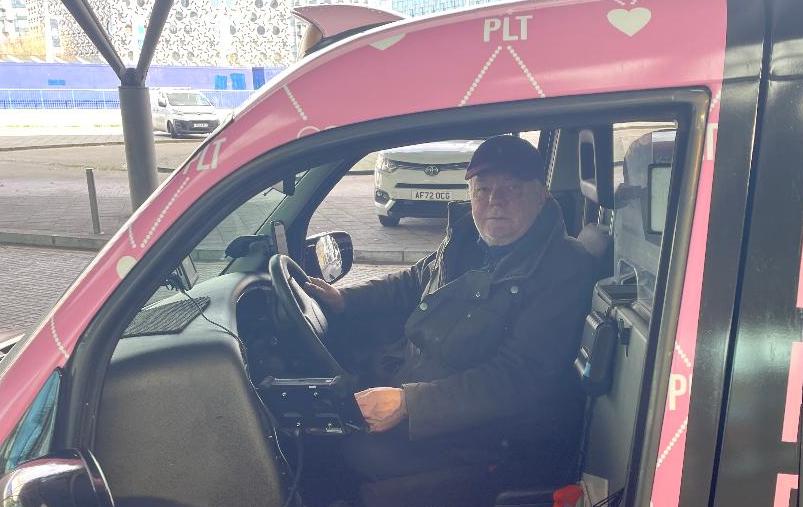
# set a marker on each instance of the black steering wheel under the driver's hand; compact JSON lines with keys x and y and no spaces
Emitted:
{"x":303,"y":315}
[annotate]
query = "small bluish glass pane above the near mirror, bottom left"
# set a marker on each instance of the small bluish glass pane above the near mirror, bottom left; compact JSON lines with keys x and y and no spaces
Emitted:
{"x":33,"y":434}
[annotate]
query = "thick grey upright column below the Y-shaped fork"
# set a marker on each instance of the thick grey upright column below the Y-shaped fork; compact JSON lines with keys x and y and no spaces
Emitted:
{"x":140,"y":151}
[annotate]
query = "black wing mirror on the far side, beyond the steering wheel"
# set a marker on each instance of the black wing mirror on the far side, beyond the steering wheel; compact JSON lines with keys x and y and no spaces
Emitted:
{"x":329,"y":256}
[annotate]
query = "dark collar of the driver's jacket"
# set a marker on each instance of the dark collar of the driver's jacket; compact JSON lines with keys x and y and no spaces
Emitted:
{"x":529,"y":250}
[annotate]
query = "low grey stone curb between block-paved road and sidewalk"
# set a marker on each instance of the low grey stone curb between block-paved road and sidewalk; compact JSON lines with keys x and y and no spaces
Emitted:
{"x":90,"y":242}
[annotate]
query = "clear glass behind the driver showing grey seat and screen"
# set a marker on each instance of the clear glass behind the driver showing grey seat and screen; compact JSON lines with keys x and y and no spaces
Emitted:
{"x":643,"y":157}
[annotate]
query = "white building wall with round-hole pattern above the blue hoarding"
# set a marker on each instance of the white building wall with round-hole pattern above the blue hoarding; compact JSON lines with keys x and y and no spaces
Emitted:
{"x":202,"y":32}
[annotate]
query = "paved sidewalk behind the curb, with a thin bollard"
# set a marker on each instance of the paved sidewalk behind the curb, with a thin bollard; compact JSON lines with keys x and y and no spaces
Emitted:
{"x":50,"y":208}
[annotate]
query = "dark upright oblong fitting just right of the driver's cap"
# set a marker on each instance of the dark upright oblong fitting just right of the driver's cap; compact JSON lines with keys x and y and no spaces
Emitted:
{"x":595,"y":157}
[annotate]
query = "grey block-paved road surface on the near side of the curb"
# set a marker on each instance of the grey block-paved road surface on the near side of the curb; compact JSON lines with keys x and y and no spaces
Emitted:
{"x":33,"y":279}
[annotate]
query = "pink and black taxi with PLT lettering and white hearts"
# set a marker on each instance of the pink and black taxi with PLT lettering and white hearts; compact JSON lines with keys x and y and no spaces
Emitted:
{"x":194,"y":399}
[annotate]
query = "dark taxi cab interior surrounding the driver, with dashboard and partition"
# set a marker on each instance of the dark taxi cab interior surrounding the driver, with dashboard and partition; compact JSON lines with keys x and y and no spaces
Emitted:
{"x":225,"y":392}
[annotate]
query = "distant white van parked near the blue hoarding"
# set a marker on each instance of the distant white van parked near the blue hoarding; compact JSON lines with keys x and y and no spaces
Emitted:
{"x":183,"y":111}
